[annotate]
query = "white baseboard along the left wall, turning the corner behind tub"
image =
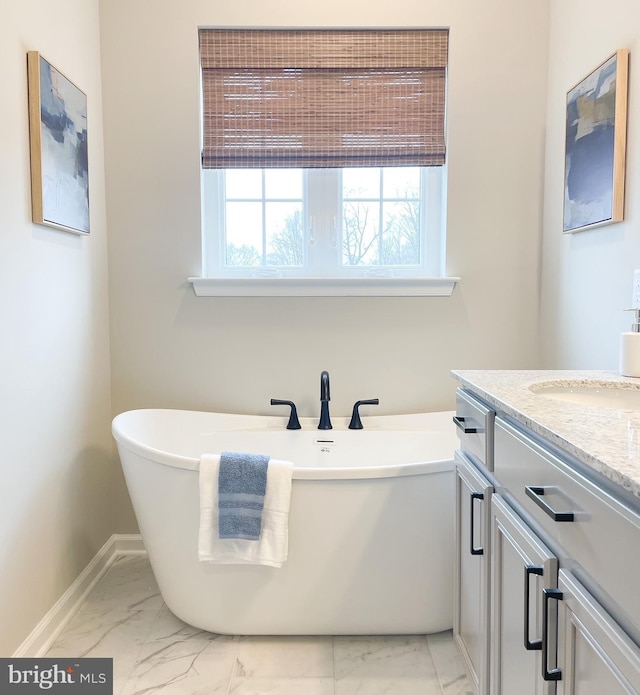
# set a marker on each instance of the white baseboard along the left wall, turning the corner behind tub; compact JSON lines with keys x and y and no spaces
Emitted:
{"x":48,"y":629}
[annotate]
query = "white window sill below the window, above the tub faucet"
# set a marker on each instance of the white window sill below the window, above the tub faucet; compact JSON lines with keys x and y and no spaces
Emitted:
{"x":323,"y":287}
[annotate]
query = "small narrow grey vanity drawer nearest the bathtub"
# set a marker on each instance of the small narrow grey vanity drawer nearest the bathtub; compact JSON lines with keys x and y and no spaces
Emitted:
{"x":474,"y":421}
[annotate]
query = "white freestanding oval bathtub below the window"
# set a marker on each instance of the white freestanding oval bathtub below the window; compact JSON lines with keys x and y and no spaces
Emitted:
{"x":370,"y":525}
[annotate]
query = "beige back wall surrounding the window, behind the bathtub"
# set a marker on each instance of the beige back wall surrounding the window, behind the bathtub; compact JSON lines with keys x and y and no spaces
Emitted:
{"x":172,"y":349}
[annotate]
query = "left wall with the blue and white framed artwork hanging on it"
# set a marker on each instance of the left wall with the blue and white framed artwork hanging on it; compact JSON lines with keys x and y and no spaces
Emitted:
{"x":58,"y":481}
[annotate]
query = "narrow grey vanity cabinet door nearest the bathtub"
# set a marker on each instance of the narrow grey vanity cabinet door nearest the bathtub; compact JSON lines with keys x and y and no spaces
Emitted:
{"x":472,"y":568}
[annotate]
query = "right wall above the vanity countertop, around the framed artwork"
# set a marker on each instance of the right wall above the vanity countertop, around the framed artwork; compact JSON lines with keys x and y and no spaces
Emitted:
{"x":587,"y":276}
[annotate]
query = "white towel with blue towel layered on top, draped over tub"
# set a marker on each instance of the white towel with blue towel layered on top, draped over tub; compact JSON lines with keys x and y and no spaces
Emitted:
{"x":244,"y":509}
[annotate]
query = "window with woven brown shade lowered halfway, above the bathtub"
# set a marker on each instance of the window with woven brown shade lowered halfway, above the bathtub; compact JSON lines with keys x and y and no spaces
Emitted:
{"x":323,"y":153}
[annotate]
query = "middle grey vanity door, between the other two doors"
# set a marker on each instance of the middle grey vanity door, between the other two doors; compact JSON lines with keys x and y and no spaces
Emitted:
{"x":521,"y":567}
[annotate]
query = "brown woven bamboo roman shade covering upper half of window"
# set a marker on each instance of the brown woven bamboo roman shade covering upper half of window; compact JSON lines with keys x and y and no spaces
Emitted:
{"x":323,"y":98}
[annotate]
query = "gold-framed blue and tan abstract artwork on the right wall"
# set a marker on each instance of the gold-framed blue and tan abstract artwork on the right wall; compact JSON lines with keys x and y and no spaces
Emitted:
{"x":596,"y":129}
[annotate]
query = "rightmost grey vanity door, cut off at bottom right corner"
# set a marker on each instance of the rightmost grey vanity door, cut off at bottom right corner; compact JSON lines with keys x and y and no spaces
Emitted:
{"x":595,"y":656}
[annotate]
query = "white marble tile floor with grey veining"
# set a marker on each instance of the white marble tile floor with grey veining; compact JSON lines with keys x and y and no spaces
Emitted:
{"x":124,"y":617}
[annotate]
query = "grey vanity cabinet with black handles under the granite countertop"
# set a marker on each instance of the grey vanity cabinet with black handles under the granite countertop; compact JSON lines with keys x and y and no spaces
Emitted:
{"x":553,"y":595}
